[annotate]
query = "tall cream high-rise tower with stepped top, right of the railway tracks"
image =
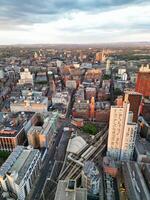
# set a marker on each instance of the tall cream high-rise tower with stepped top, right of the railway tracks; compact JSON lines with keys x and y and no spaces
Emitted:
{"x":122,"y":132}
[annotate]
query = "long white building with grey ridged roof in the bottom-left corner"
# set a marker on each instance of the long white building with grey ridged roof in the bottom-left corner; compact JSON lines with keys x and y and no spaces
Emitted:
{"x":18,"y":173}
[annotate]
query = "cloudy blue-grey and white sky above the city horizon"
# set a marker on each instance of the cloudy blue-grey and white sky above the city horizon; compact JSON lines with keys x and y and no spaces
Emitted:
{"x":74,"y":21}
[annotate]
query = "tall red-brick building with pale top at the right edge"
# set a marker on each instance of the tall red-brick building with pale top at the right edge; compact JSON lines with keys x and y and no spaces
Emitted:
{"x":143,"y":81}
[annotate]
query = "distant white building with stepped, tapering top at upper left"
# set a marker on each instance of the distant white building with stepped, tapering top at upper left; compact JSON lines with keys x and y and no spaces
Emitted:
{"x":26,"y":77}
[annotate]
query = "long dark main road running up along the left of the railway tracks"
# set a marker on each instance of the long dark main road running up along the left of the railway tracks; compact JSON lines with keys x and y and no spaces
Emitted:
{"x":54,"y":160}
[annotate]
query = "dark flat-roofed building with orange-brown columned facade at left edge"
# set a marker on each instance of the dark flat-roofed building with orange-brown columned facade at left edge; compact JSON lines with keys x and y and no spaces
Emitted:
{"x":13,"y":129}
